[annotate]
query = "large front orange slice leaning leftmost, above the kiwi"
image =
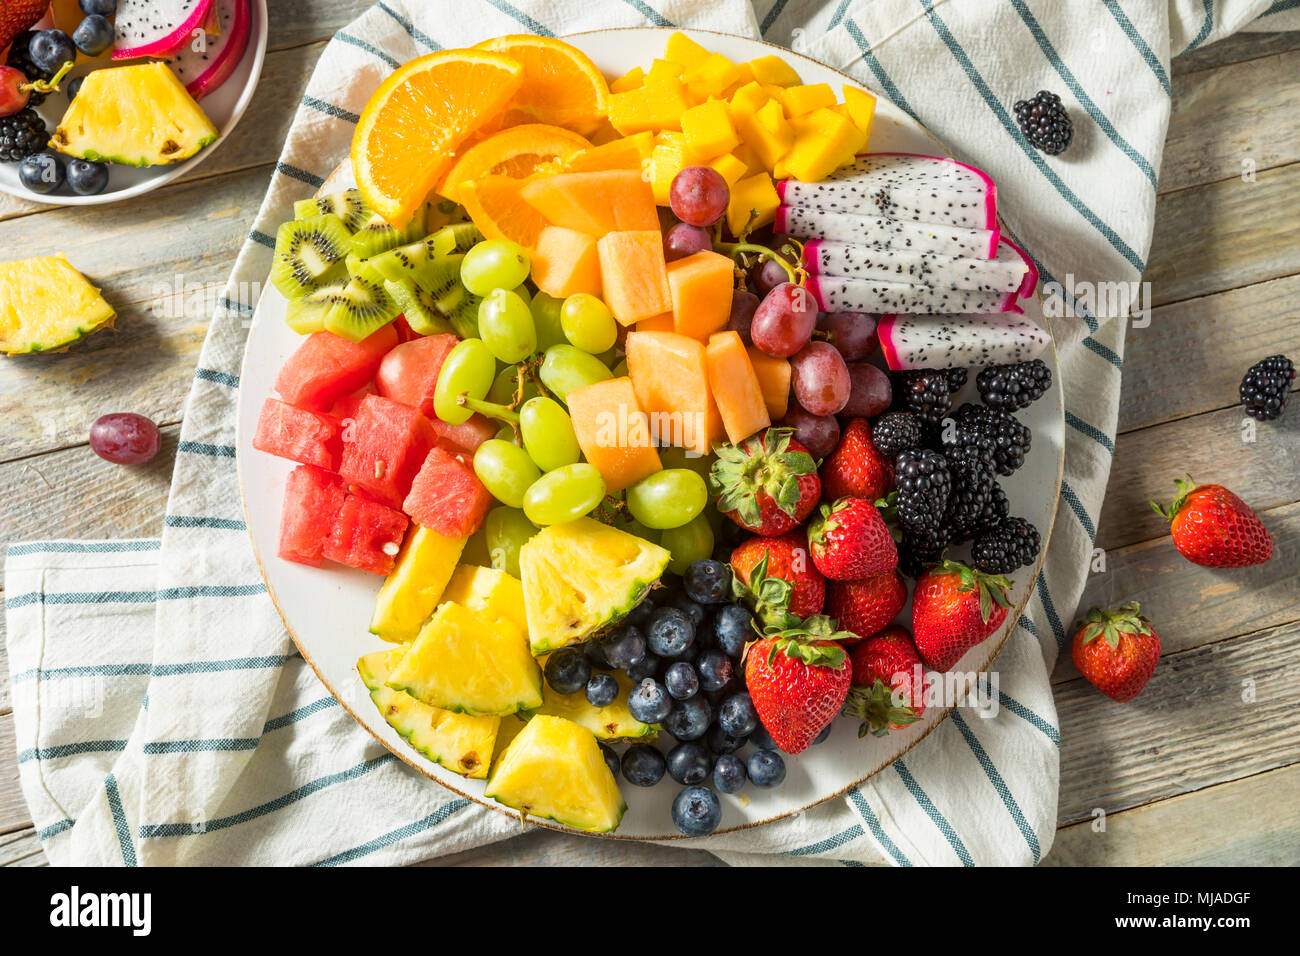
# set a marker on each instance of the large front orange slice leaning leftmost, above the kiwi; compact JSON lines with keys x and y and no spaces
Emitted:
{"x":411,"y":127}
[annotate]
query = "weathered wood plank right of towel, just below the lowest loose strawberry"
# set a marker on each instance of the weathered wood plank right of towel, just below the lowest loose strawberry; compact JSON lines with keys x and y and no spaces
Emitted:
{"x":1188,"y":730}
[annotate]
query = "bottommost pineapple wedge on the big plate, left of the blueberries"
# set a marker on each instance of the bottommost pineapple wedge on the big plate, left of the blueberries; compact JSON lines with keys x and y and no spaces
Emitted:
{"x":554,"y":769}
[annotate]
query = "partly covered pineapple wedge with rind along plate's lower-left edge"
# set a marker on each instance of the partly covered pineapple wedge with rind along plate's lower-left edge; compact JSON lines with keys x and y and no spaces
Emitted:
{"x":458,"y":742}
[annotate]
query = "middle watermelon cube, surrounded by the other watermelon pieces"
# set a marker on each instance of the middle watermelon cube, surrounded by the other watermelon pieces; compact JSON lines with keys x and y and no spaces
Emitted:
{"x":384,"y":447}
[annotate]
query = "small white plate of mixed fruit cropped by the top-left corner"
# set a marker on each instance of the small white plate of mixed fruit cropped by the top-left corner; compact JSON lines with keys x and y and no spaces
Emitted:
{"x":102,"y":101}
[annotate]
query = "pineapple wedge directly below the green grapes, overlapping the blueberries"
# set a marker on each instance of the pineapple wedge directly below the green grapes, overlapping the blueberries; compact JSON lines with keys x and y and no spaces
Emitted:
{"x":580,"y":578}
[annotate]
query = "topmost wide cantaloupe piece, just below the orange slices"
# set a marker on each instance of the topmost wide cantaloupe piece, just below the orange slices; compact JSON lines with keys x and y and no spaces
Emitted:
{"x":596,"y":204}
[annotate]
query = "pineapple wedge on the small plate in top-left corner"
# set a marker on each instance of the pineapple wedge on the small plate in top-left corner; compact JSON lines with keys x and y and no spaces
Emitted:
{"x":137,"y":116}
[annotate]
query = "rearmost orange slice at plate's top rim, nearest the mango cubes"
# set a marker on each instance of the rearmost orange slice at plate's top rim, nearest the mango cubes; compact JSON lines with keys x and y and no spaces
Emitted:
{"x":562,"y":86}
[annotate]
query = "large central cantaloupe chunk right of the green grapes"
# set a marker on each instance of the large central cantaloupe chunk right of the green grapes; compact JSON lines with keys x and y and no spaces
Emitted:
{"x":670,"y":375}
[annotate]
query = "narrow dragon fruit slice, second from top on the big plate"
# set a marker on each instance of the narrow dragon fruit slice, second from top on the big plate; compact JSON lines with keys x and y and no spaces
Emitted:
{"x":882,"y":235}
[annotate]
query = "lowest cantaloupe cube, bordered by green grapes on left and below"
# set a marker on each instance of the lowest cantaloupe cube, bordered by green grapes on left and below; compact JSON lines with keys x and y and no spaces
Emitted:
{"x":614,"y":432}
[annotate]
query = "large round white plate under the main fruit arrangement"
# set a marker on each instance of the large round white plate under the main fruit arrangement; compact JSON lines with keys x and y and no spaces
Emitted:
{"x":328,"y":611}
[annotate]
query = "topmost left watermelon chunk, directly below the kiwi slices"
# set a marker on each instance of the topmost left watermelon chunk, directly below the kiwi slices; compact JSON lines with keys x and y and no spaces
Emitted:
{"x":327,"y":367}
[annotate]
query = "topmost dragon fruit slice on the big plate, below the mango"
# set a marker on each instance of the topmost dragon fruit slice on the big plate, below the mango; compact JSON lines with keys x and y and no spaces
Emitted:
{"x":900,"y":185}
